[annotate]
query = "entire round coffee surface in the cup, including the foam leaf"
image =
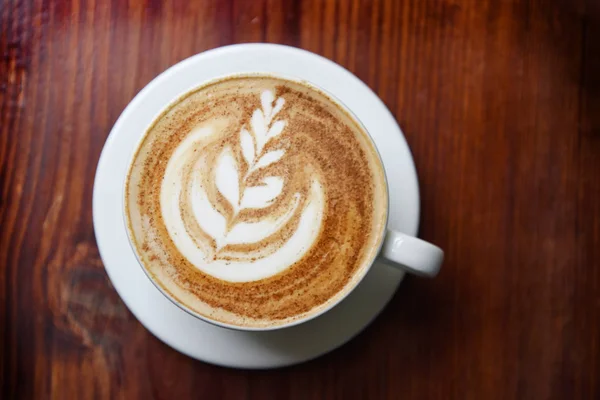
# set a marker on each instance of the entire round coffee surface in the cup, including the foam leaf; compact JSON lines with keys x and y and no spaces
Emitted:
{"x":255,"y":201}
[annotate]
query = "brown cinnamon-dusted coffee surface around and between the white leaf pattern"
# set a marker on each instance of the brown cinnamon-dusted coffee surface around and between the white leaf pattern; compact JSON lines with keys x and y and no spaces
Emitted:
{"x":321,"y":141}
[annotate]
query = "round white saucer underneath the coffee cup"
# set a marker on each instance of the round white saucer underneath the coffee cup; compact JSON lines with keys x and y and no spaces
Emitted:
{"x":179,"y":329}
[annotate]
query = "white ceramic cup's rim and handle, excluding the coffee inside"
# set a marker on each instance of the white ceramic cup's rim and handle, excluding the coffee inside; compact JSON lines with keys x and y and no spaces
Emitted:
{"x":396,"y":249}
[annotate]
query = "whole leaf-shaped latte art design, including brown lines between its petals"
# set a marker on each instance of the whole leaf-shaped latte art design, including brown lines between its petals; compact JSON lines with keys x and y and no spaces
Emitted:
{"x":210,"y":201}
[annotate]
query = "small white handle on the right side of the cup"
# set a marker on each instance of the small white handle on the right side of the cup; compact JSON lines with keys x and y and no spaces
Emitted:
{"x":411,"y":254}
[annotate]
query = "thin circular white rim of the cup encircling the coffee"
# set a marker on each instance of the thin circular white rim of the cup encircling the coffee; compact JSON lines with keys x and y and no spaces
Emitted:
{"x":349,"y":288}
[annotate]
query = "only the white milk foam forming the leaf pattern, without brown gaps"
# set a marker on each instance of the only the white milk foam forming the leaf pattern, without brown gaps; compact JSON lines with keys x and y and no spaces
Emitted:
{"x":188,"y":159}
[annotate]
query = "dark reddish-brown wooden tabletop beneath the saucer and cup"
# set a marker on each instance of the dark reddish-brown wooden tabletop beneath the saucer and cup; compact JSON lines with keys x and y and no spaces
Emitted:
{"x":499,"y":101}
